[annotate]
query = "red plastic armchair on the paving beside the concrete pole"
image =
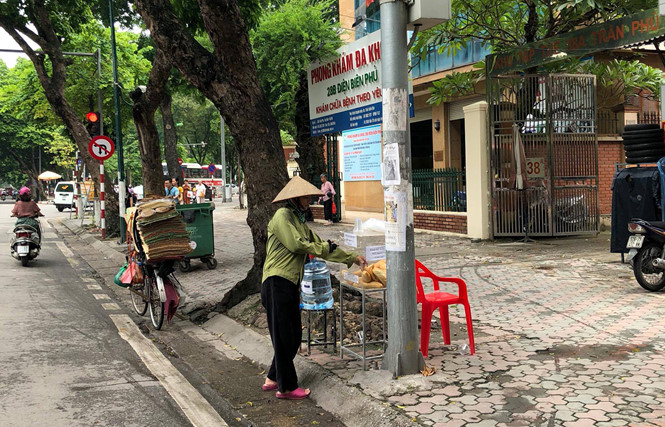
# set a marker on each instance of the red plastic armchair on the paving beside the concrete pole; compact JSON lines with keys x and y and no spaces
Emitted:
{"x":440,"y":300}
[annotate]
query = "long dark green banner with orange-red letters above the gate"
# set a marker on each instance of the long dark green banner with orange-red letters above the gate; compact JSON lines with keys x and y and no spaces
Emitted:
{"x":637,"y":28}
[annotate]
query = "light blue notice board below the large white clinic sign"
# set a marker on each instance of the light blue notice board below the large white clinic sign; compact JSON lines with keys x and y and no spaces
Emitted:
{"x":362,"y":154}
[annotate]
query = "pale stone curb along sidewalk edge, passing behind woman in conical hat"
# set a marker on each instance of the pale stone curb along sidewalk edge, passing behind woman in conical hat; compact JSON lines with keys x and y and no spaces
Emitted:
{"x":347,"y":403}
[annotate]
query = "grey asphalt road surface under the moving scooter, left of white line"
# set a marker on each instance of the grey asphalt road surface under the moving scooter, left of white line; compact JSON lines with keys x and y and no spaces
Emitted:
{"x":62,"y":359}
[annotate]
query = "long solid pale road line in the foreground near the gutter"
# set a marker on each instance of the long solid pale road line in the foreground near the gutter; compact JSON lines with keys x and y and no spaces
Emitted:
{"x":195,"y":407}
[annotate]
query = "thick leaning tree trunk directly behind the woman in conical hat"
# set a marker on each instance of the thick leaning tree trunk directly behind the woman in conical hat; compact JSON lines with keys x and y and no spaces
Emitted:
{"x":228,"y":77}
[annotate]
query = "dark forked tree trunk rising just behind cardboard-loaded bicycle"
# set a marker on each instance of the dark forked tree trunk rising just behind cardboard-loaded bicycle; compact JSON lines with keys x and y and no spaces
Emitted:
{"x":143,"y":111}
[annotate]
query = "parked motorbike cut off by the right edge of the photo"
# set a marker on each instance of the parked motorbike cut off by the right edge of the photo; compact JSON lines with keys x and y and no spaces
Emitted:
{"x":646,"y":246}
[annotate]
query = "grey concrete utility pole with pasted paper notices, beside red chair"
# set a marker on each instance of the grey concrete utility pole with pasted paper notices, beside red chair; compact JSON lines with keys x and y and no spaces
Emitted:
{"x":402,"y":355}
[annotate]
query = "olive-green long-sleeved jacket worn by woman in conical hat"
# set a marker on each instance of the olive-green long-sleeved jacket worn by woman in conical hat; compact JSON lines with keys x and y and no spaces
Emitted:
{"x":289,"y":243}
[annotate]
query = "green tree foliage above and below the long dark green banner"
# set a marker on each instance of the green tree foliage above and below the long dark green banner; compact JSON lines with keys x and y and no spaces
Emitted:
{"x":505,"y":24}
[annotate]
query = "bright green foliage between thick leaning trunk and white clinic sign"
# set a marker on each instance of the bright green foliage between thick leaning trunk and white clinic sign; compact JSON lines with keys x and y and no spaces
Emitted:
{"x":287,"y":39}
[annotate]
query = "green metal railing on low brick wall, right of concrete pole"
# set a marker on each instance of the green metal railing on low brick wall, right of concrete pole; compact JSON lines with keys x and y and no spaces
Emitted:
{"x":439,"y":190}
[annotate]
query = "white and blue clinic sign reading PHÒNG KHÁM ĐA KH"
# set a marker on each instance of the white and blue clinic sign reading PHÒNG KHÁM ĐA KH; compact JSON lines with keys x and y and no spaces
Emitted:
{"x":345,"y":93}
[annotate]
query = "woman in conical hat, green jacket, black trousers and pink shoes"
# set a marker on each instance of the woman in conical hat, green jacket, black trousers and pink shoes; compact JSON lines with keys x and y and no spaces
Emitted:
{"x":290,"y":242}
